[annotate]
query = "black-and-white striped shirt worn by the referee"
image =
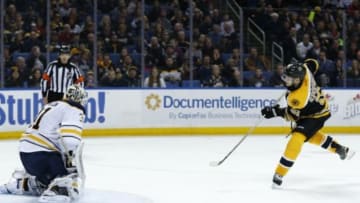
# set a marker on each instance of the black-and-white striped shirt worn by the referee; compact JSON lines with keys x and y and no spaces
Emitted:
{"x":57,"y":77}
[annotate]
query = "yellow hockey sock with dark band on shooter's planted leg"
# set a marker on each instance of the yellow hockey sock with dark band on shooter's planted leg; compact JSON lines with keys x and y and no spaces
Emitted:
{"x":292,"y":151}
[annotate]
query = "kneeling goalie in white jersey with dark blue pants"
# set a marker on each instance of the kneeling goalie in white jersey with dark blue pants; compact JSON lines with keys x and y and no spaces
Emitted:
{"x":50,"y":151}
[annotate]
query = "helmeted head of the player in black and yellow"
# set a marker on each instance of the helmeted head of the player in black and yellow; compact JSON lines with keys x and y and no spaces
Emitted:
{"x":293,"y":75}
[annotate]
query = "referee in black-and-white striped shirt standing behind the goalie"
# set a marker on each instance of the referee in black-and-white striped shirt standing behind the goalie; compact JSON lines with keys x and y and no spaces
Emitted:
{"x":59,"y":75}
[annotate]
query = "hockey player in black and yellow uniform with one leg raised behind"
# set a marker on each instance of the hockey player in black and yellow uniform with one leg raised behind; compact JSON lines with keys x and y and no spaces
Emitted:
{"x":309,"y":109}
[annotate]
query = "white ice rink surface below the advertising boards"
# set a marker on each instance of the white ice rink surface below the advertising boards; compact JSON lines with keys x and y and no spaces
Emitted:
{"x":176,"y":170}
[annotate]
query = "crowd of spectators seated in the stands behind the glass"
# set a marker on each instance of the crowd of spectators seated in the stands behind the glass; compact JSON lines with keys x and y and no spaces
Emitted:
{"x":303,"y":28}
